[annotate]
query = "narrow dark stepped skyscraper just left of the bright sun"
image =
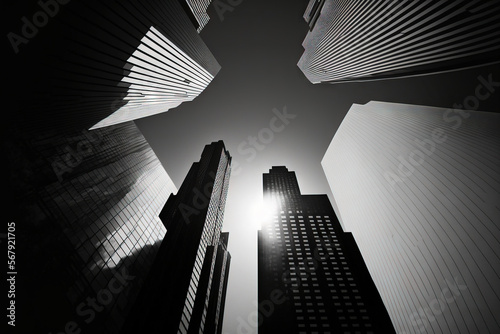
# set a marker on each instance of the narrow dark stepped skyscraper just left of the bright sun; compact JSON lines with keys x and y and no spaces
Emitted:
{"x":188,"y":279}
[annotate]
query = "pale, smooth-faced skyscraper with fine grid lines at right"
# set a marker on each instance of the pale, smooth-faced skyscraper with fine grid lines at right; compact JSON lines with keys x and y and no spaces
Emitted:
{"x":418,"y":187}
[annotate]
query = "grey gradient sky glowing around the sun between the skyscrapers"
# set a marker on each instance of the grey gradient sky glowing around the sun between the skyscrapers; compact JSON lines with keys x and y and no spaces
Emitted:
{"x":267,"y":113}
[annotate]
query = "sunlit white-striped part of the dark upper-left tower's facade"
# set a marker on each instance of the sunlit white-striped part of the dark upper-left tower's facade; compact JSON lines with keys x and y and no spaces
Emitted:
{"x":161,"y":77}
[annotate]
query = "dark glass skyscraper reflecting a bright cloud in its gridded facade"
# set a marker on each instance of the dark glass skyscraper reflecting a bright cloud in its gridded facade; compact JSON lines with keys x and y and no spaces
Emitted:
{"x":87,"y":226}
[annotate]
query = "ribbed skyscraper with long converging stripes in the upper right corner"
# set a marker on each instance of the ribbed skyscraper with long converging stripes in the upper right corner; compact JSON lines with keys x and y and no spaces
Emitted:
{"x":369,"y":40}
